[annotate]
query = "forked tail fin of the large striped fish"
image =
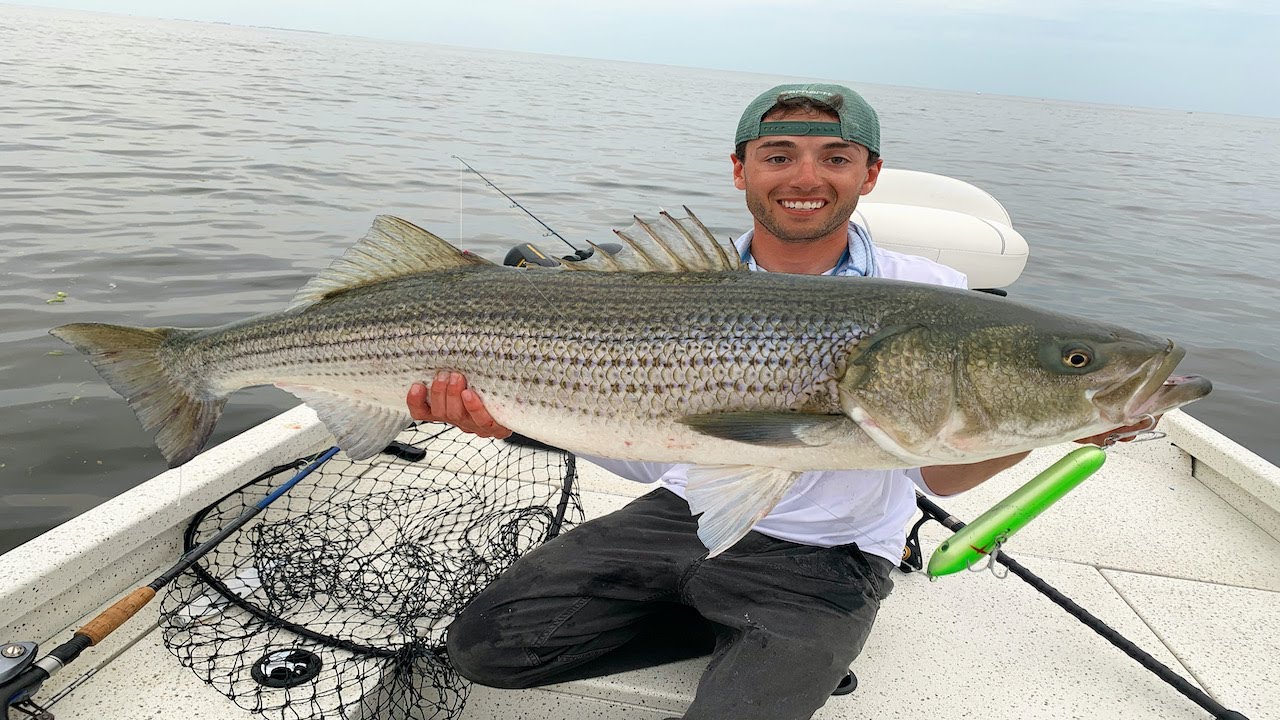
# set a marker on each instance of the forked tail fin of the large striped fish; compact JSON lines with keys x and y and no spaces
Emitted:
{"x":132,"y":362}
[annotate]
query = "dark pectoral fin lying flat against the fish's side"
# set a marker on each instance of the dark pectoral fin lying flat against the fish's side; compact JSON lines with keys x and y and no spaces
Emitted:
{"x":774,"y":430}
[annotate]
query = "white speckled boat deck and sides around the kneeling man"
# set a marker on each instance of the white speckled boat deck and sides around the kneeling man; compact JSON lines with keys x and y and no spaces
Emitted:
{"x":1186,"y":566}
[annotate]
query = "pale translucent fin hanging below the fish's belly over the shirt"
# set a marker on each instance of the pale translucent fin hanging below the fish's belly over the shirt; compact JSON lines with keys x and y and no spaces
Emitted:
{"x":732,"y":499}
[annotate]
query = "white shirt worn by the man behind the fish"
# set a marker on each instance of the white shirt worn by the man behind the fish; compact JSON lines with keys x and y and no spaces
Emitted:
{"x":830,"y":508}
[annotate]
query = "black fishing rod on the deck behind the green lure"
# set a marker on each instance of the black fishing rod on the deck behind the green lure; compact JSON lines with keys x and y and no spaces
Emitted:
{"x":913,"y":562}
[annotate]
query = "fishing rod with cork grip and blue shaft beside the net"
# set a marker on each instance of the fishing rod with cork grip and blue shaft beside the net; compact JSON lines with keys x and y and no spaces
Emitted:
{"x":22,"y":676}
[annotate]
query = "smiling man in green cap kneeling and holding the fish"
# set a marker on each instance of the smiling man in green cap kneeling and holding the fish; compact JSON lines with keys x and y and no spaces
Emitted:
{"x":793,"y":603}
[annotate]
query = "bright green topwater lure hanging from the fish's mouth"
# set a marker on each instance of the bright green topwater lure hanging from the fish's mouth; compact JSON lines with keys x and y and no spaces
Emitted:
{"x":984,"y":537}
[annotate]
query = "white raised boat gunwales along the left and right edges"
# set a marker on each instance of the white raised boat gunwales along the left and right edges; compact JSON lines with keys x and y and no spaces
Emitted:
{"x":43,"y":581}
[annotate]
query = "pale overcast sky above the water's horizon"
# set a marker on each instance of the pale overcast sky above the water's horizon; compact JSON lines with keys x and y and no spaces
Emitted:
{"x":1209,"y":56}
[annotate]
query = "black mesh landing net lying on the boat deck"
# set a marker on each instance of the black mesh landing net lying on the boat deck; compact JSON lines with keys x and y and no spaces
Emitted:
{"x":333,"y":603}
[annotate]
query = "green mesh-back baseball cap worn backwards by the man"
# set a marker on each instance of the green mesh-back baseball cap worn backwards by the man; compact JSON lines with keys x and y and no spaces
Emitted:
{"x":858,"y":121}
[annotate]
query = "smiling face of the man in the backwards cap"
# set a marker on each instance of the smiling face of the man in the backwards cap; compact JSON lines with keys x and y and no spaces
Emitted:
{"x":803,"y":189}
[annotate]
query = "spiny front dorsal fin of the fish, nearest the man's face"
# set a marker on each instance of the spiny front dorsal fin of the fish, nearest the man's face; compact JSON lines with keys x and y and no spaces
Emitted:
{"x":668,"y":245}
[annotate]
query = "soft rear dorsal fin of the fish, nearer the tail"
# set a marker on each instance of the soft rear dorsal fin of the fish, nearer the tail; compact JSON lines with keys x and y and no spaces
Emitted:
{"x":391,"y":249}
